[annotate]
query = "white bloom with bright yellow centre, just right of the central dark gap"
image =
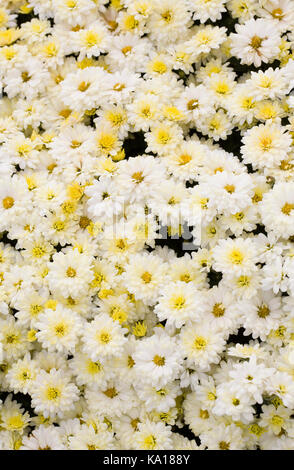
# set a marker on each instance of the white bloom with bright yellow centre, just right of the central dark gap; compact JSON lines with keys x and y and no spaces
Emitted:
{"x":235,"y":257}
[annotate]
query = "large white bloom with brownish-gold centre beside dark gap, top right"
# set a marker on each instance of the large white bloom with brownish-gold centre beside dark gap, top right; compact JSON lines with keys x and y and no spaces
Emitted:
{"x":256,"y":41}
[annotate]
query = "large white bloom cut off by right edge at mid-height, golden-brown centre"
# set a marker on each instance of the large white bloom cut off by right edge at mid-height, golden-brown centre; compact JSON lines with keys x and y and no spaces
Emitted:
{"x":276,"y":210}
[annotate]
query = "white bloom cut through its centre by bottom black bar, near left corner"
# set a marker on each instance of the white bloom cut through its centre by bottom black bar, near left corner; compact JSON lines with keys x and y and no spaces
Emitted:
{"x":43,"y":438}
